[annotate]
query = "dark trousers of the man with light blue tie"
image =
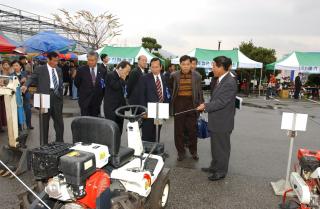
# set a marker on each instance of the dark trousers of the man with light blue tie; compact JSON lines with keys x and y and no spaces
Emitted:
{"x":55,"y":112}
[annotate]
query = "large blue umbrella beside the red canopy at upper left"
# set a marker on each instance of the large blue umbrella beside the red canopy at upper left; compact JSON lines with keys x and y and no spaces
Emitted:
{"x":48,"y":41}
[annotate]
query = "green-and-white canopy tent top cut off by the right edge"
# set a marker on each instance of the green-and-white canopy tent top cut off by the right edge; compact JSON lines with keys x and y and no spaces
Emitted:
{"x":305,"y":62}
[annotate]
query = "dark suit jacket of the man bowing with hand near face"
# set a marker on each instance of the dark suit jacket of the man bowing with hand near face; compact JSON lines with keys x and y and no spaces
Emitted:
{"x":114,"y":94}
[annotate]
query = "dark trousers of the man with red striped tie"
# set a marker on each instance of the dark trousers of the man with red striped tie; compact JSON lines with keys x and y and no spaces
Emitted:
{"x":149,"y":130}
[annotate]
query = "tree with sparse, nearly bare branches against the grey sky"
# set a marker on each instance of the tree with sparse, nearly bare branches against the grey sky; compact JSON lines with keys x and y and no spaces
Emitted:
{"x":96,"y":31}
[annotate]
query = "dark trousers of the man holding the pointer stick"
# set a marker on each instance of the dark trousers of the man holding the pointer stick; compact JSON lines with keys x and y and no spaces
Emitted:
{"x":220,"y":151}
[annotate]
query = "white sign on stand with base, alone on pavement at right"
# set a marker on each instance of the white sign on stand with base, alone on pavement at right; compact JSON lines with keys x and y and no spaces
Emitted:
{"x":292,"y":122}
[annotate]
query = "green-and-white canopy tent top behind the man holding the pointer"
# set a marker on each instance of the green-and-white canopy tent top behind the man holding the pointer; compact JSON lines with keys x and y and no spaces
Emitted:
{"x":205,"y":57}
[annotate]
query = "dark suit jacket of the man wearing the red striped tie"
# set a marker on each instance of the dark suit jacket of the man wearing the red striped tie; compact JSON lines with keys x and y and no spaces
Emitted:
{"x":148,"y":90}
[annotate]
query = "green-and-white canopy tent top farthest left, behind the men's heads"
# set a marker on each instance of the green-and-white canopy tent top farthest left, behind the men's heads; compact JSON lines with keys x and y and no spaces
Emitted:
{"x":117,"y":54}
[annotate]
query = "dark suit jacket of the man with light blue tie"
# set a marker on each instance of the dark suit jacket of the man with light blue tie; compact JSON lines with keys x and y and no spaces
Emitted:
{"x":41,"y":78}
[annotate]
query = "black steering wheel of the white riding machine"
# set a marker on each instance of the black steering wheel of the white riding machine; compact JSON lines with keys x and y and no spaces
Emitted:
{"x":138,"y":111}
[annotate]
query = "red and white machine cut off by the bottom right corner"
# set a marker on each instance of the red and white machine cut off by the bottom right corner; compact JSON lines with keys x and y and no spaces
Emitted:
{"x":305,"y":182}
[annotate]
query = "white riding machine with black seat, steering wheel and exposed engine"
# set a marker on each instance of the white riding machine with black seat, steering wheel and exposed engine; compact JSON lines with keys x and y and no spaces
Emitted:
{"x":97,"y":172}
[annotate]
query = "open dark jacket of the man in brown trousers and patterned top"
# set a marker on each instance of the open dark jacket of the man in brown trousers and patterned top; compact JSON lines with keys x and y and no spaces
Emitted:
{"x":197,"y":94}
